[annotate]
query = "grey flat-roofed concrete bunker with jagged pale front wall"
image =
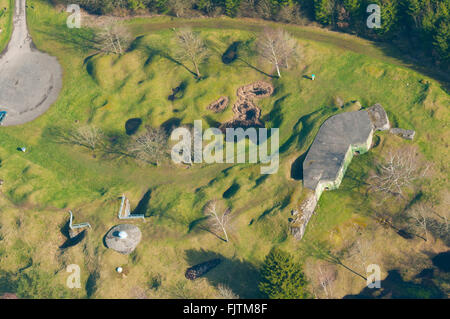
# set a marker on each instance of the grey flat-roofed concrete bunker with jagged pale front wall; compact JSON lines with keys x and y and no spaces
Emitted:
{"x":340,"y":137}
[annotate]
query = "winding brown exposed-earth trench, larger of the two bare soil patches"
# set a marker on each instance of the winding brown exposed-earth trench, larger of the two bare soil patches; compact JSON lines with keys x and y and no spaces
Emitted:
{"x":246,"y":113}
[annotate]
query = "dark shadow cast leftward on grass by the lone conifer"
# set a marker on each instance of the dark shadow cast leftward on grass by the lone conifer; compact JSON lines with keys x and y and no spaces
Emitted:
{"x":240,"y":276}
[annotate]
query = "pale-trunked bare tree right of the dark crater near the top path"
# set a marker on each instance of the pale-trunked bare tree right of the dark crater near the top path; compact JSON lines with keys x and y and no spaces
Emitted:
{"x":277,"y":47}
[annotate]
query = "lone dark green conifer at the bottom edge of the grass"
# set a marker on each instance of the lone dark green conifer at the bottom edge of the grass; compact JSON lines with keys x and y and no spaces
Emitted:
{"x":282,"y":277}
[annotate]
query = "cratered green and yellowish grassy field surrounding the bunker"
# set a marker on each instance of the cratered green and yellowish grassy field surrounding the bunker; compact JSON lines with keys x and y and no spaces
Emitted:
{"x":105,"y":90}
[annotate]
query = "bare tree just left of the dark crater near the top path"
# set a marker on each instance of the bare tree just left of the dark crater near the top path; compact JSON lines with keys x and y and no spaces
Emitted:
{"x":191,"y":48}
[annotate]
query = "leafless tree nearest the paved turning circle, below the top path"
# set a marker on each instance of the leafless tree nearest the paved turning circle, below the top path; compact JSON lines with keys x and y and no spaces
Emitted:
{"x":112,"y":38}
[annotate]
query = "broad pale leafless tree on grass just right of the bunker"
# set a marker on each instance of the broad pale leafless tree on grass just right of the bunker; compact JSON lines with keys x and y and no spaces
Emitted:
{"x":401,"y":168}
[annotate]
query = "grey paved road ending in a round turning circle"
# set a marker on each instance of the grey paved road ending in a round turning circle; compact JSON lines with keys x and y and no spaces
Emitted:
{"x":30,"y":81}
